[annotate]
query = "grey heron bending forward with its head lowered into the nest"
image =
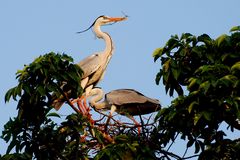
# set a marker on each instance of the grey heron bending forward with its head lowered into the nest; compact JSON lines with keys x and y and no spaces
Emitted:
{"x":124,"y":101}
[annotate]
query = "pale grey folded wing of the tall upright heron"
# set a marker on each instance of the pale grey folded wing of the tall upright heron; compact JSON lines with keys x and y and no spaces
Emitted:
{"x":90,"y":64}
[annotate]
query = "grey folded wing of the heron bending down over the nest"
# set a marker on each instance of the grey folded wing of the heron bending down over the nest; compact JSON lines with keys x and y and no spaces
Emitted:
{"x":127,"y":96}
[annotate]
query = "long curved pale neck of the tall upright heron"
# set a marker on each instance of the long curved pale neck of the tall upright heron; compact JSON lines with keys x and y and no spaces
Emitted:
{"x":106,"y":37}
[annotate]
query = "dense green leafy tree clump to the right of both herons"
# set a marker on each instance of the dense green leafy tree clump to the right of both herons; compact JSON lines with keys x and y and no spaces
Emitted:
{"x":209,"y":69}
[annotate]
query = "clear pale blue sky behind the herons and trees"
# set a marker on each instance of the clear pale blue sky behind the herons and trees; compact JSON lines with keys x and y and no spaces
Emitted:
{"x":32,"y":28}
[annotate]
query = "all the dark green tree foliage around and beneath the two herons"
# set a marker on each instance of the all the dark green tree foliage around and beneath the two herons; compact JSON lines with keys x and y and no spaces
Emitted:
{"x":202,"y":72}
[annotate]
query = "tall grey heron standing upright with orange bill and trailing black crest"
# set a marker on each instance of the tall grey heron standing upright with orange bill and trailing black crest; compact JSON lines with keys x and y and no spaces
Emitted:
{"x":94,"y":65}
